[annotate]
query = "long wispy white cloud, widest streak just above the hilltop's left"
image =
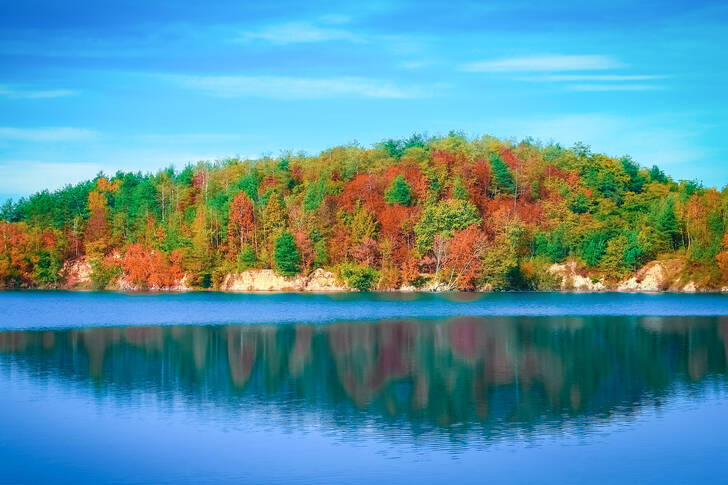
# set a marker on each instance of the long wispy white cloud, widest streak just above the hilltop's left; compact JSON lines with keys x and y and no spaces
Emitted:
{"x":282,"y":87}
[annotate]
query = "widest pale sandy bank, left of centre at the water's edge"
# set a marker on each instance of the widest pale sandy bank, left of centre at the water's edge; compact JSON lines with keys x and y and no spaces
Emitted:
{"x":268,"y":280}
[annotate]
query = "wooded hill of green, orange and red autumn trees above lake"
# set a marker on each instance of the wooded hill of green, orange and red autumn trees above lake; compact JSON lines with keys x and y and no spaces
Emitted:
{"x":422,"y":214}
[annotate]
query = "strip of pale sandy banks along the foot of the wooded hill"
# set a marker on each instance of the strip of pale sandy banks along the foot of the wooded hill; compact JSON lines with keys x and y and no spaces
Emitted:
{"x":659,"y":276}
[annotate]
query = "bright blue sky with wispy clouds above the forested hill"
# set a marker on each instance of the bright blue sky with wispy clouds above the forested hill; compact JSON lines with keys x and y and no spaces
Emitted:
{"x":139,"y":85}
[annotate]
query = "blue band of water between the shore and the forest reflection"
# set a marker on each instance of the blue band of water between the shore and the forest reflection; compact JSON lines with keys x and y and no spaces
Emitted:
{"x":52,"y":309}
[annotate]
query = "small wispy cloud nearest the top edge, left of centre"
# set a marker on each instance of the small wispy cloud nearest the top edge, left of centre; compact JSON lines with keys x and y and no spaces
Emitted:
{"x":299,"y":33}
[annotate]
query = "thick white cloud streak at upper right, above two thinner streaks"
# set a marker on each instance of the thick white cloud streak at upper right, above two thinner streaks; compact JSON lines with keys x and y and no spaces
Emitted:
{"x":543,"y":63}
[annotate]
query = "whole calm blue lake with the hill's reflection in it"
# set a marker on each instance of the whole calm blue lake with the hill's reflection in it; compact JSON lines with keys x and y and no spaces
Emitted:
{"x":363,"y":388}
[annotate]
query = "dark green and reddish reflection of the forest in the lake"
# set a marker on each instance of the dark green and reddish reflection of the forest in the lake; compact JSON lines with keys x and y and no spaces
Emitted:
{"x":494,"y":375}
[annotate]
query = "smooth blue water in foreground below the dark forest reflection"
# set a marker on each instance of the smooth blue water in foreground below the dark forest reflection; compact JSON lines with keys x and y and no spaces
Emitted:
{"x":53,"y":432}
